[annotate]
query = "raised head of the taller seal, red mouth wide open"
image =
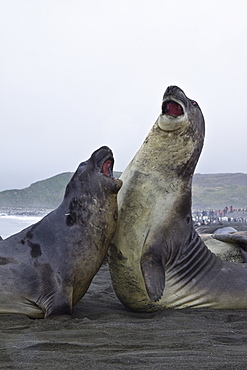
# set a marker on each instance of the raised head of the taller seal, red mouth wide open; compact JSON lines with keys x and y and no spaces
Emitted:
{"x":182,"y":125}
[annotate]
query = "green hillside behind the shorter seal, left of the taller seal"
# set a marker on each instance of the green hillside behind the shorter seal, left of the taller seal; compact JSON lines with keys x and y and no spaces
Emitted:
{"x":42,"y":194}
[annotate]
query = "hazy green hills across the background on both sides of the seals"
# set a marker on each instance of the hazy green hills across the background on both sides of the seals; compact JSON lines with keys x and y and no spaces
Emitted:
{"x":210,"y":191}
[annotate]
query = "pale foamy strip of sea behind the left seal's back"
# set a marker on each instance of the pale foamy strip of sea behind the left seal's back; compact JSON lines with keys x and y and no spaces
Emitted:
{"x":12,"y":221}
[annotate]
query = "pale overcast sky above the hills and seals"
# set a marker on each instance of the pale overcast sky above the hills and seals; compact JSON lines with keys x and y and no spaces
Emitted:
{"x":79,"y":74}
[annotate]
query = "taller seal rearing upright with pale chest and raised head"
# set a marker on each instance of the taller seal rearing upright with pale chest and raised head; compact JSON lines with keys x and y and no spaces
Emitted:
{"x":157,"y":259}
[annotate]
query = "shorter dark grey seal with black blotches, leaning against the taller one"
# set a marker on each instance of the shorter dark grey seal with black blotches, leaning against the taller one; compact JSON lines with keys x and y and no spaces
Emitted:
{"x":46,"y":268}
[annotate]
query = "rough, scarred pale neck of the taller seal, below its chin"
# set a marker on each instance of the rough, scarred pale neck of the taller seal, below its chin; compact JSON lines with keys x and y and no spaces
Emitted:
{"x":169,"y":156}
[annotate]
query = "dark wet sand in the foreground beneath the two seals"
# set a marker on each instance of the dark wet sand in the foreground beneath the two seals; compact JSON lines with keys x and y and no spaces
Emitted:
{"x":102,"y":334}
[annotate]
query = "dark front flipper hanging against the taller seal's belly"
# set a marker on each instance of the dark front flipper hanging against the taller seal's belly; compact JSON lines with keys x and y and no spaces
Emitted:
{"x":154,"y":275}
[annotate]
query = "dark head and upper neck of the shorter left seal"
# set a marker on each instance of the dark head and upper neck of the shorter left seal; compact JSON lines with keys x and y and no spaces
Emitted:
{"x":92,"y":189}
